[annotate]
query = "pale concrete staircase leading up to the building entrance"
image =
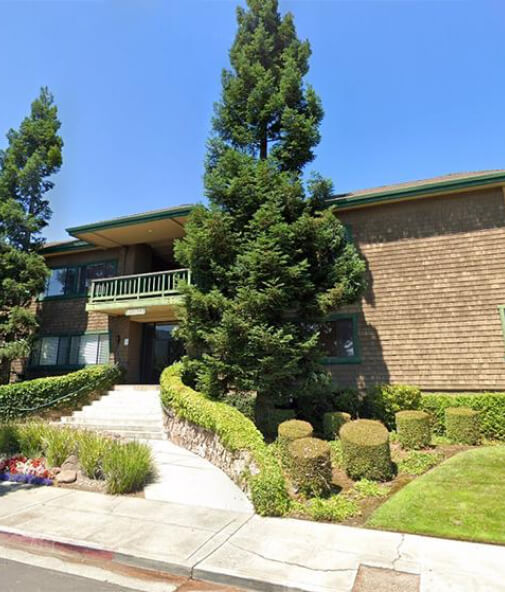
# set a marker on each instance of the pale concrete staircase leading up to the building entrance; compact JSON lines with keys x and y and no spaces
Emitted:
{"x":130,"y":411}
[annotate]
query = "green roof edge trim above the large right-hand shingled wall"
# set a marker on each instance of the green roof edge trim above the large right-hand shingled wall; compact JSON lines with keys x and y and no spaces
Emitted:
{"x":348,"y":199}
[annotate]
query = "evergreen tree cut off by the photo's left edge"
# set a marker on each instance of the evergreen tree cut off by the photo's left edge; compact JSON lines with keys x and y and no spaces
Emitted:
{"x":33,"y":154}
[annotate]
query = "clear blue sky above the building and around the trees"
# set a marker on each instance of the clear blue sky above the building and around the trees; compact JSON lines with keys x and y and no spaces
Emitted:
{"x":410,"y":89}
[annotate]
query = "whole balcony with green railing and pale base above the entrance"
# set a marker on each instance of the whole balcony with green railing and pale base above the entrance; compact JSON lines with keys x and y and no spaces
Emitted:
{"x":144,"y":297}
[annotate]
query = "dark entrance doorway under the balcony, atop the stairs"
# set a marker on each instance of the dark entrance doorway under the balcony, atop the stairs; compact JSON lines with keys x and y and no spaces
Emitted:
{"x":159,"y":349}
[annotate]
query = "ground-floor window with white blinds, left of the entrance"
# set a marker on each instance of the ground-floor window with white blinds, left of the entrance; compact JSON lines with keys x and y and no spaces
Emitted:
{"x":71,"y":350}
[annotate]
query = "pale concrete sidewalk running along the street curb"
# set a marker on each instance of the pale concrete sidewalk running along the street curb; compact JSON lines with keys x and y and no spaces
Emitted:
{"x":244,"y":550}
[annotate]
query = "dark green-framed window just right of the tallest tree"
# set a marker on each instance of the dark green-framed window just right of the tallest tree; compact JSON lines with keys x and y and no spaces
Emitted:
{"x":339,"y":339}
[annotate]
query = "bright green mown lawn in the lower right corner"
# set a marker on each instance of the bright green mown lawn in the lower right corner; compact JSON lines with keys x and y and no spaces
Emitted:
{"x":464,"y":497}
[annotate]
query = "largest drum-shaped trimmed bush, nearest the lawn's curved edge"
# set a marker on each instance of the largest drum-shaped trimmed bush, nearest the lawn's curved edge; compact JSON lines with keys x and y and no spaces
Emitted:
{"x":365,"y":450}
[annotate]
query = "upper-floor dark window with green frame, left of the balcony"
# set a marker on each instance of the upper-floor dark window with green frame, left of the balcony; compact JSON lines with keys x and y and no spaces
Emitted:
{"x":74,"y":281}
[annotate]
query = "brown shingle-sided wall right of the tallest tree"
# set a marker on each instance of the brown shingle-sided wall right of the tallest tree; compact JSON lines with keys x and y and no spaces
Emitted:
{"x":436,"y":277}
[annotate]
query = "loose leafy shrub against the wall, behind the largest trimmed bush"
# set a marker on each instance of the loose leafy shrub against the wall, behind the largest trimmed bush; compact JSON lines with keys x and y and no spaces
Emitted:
{"x":384,"y":400}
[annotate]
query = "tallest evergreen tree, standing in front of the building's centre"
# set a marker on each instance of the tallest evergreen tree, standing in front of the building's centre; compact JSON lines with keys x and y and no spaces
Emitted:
{"x":269,"y":260}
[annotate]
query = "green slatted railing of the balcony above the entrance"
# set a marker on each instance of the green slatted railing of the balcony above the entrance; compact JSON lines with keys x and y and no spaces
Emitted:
{"x":137,"y":287}
